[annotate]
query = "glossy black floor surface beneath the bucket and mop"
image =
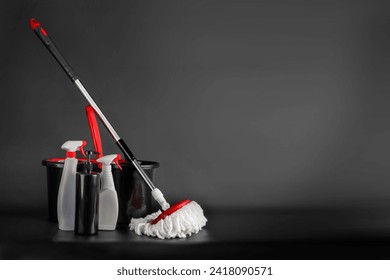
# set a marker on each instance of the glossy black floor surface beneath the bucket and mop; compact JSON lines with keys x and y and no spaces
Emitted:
{"x":268,"y":233}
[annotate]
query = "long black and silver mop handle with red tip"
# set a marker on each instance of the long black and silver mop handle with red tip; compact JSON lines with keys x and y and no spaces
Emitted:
{"x":44,"y":37}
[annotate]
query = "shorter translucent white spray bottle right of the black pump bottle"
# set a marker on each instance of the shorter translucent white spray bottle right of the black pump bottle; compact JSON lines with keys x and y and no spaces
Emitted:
{"x":108,"y":199}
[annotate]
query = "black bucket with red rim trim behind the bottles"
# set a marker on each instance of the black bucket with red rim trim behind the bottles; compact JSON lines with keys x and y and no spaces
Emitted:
{"x":134,"y":195}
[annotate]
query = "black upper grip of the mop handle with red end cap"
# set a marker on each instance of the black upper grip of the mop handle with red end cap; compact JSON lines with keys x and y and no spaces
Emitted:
{"x":44,"y":37}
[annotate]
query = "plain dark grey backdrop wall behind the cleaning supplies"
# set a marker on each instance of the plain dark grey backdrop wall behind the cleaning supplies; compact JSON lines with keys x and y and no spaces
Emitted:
{"x":243,"y":103}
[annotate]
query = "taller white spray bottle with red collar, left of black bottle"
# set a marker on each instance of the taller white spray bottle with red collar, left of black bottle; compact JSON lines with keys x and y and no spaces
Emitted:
{"x":67,"y":190}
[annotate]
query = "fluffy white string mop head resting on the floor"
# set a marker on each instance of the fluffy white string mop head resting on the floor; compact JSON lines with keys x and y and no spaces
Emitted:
{"x":187,"y":220}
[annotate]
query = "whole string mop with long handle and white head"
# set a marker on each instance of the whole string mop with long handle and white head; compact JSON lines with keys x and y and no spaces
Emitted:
{"x":182,"y":219}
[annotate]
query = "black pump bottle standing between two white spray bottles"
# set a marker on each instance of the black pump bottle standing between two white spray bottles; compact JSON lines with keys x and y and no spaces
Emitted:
{"x":87,"y":199}
